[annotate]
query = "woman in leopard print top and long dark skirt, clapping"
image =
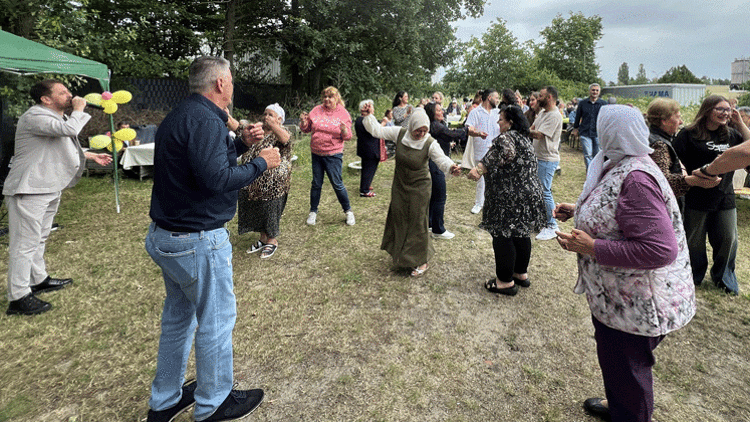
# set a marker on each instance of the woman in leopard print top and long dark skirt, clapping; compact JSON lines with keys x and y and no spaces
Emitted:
{"x":261,"y":204}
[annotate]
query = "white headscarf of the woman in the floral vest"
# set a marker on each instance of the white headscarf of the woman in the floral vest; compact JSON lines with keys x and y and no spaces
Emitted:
{"x":622,"y":133}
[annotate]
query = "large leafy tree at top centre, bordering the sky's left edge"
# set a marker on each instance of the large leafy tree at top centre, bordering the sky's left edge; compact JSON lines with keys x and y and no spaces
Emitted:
{"x":361,"y":46}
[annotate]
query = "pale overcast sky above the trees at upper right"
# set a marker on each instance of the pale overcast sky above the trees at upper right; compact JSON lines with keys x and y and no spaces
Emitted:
{"x":707,"y":36}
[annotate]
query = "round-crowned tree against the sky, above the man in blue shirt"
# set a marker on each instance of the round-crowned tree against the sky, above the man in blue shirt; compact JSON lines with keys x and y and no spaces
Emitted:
{"x":568,"y":47}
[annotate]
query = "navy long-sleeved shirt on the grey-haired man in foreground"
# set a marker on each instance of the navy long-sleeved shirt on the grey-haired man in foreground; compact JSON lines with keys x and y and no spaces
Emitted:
{"x":196,"y":176}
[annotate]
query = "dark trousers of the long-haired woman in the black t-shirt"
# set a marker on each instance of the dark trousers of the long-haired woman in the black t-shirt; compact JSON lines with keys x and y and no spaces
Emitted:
{"x":721,"y":229}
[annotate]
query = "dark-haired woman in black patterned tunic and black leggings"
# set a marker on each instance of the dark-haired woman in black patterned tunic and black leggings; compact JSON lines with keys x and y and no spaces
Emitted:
{"x":513,"y":207}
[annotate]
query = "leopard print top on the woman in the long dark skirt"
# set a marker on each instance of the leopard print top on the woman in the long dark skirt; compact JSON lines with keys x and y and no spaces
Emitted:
{"x":273,"y":183}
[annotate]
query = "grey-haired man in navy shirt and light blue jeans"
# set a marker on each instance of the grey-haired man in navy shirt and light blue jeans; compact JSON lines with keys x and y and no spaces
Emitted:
{"x":196,"y":179}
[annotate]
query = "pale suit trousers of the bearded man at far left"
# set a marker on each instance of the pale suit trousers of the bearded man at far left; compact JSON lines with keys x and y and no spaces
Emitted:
{"x":30,"y":220}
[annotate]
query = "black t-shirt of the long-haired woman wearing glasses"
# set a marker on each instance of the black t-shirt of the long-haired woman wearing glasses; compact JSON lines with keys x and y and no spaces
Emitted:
{"x":694,"y":153}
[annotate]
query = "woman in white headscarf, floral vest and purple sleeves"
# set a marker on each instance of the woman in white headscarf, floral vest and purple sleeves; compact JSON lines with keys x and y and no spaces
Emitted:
{"x":633,"y":262}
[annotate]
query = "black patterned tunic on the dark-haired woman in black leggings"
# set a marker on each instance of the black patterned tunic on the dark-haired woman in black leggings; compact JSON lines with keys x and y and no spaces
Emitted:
{"x":513,"y":204}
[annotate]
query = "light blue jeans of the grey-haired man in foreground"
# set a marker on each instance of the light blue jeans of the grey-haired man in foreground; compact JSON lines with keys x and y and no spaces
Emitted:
{"x":197,"y":270}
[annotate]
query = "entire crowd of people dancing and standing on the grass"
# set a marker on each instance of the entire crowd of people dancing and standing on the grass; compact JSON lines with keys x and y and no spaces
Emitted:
{"x":653,"y":193}
